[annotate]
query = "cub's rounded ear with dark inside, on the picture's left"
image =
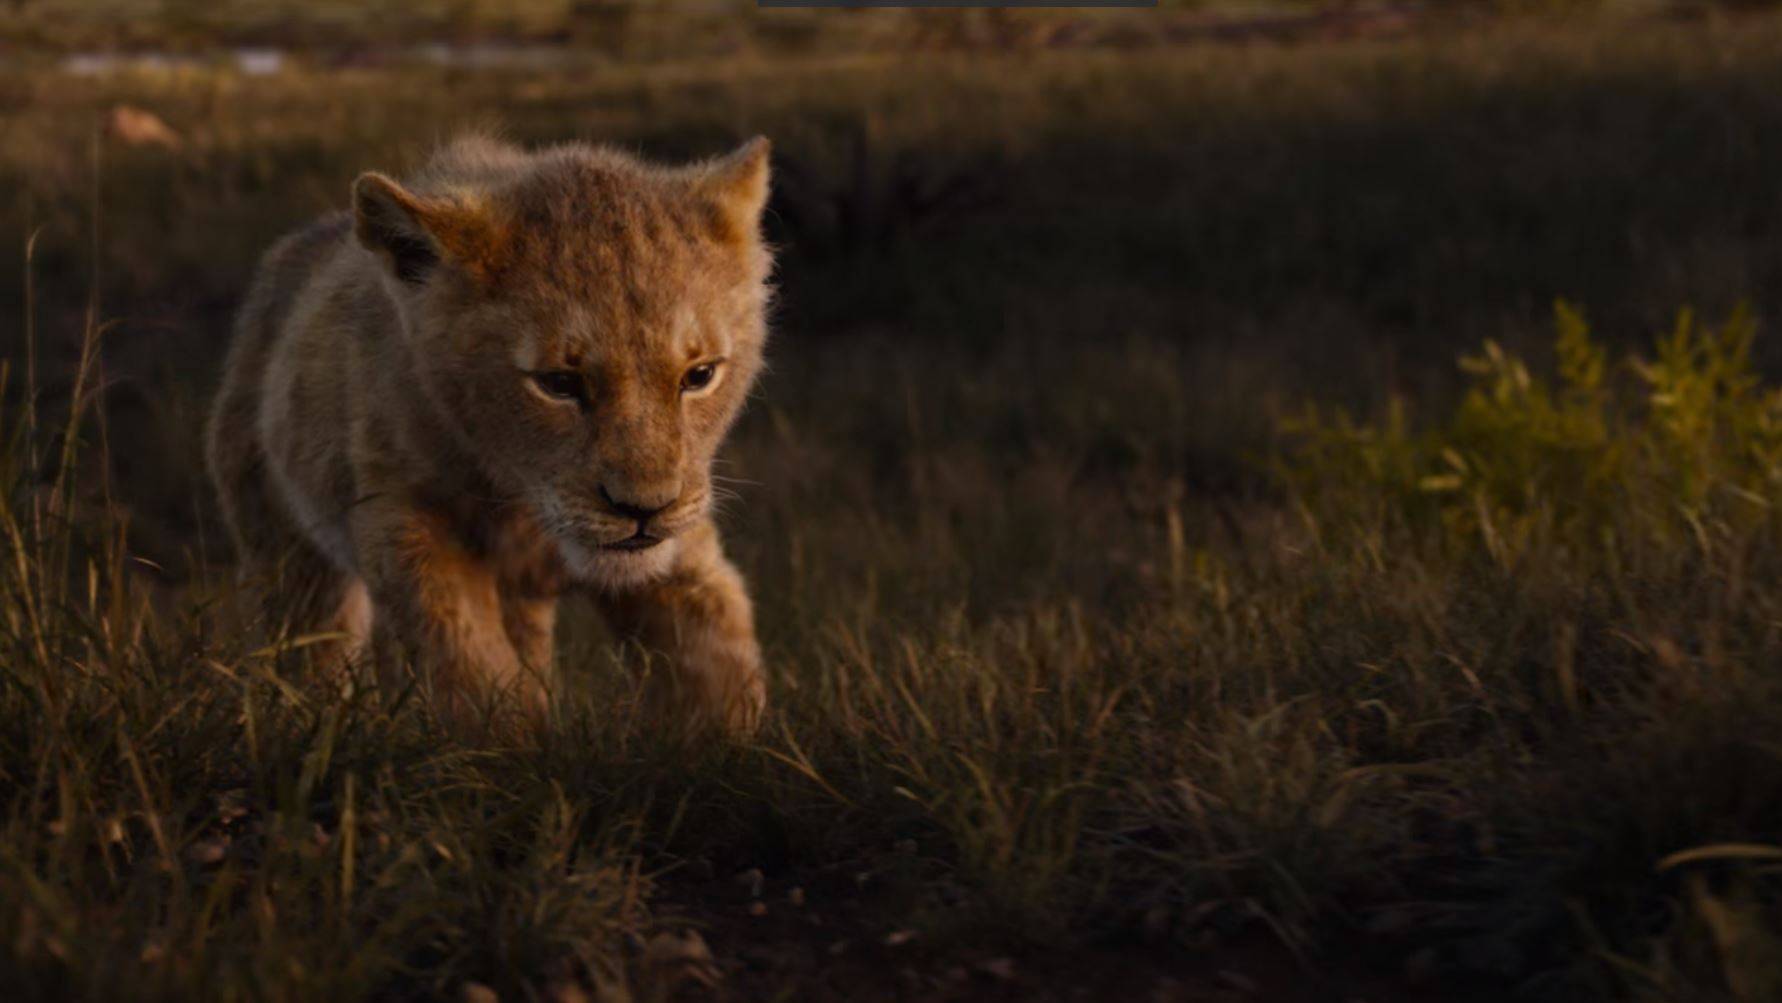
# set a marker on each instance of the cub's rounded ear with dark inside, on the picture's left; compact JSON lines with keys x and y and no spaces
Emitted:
{"x":414,"y":234}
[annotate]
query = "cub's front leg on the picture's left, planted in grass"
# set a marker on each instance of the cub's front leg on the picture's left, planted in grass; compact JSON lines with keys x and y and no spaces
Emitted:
{"x":437,"y":608}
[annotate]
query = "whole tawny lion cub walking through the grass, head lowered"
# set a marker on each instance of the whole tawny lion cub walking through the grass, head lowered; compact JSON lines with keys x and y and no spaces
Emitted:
{"x":489,"y":386}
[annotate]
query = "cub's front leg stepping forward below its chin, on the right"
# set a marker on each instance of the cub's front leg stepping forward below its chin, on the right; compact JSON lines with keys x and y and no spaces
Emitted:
{"x":699,"y":619}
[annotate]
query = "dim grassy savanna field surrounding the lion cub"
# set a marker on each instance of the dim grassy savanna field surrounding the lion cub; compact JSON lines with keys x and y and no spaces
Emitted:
{"x":1275,"y":516}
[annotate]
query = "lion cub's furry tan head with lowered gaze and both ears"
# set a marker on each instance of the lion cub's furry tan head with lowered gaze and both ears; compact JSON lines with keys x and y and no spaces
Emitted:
{"x":585,"y":325}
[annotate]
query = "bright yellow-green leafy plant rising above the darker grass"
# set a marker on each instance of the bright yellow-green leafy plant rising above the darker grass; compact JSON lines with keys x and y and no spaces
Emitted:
{"x":1683,"y":443}
